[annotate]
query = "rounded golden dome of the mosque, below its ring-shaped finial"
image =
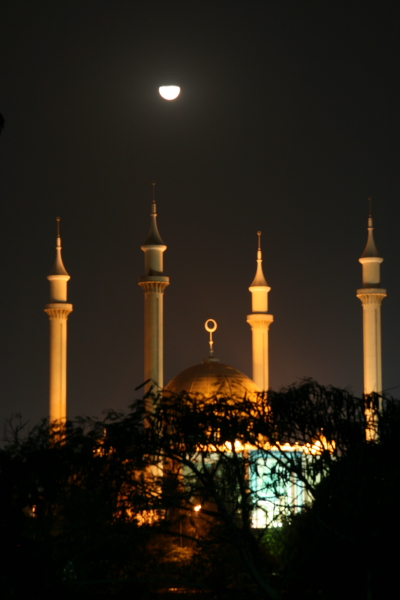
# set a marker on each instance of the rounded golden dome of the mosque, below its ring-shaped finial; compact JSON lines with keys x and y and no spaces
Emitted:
{"x":213,"y":378}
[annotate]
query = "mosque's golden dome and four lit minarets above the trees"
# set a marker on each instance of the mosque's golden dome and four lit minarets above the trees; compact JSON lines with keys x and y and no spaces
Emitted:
{"x":211,"y":377}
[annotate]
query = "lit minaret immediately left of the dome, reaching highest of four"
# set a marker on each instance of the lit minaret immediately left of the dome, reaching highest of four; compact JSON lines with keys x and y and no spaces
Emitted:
{"x":153,"y":285}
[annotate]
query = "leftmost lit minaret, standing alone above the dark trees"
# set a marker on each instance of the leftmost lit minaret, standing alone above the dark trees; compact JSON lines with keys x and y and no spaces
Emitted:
{"x":58,"y":311}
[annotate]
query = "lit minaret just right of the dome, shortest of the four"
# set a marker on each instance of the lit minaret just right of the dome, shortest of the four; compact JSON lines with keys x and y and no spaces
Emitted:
{"x":259,"y":322}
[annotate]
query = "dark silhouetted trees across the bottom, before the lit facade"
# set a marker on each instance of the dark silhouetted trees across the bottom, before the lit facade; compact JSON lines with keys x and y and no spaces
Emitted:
{"x":108,"y":506}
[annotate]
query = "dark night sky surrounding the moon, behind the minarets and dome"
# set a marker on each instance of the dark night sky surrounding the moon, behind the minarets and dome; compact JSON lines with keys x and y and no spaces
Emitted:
{"x":288,"y":119}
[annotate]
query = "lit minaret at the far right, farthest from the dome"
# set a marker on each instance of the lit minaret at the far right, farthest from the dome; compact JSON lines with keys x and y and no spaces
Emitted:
{"x":371,"y":296}
